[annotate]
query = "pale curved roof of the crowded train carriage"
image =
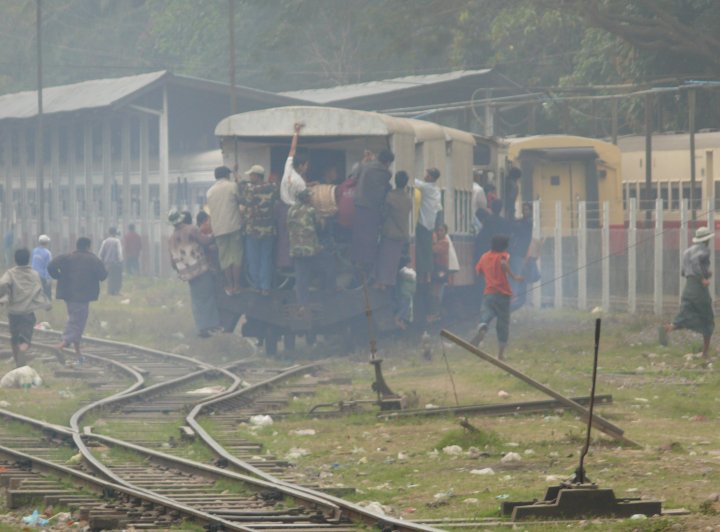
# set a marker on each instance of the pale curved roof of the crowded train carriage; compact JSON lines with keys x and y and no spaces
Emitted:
{"x":332,"y":122}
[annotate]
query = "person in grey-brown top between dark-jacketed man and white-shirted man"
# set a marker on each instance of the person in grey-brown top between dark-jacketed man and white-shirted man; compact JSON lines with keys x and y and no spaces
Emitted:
{"x":395,"y":231}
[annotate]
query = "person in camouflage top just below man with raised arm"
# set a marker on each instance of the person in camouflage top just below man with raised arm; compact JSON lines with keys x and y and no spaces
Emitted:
{"x":306,"y":251}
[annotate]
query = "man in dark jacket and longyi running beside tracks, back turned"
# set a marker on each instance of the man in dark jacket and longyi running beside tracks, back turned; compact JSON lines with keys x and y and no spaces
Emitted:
{"x":78,"y":275}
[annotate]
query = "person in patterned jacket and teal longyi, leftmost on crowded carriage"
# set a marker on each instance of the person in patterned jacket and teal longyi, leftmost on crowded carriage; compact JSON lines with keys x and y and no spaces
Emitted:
{"x":188,"y":259}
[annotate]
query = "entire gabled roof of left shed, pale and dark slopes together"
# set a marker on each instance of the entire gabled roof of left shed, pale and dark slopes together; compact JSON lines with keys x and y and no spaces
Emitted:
{"x":100,"y":93}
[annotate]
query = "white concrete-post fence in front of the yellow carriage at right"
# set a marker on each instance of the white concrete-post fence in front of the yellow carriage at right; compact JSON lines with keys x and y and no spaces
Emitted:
{"x":633,"y":266}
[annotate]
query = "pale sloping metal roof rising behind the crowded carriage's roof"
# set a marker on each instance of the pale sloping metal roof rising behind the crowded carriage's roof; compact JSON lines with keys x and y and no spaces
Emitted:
{"x":370,"y":88}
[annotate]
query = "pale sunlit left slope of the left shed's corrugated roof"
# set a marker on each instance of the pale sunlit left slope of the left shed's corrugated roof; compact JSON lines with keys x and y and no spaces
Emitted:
{"x":91,"y":94}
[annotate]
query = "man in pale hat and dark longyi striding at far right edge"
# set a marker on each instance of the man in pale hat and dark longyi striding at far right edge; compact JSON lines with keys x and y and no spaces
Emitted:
{"x":696,"y":311}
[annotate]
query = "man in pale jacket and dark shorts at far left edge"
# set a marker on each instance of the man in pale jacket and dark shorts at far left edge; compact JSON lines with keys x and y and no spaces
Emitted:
{"x":22,"y":291}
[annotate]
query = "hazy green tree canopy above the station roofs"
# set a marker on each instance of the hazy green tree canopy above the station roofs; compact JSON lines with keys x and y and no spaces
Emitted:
{"x":550,"y":46}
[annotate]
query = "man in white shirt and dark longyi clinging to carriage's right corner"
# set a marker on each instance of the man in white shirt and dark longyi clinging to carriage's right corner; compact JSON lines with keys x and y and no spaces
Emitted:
{"x":430,"y":207}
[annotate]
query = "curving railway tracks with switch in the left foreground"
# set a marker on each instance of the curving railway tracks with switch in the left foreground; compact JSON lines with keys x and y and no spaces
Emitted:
{"x":145,"y":473}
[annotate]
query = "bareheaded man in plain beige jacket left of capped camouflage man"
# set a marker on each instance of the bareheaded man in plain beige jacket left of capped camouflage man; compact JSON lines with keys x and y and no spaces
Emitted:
{"x":223,"y":200}
